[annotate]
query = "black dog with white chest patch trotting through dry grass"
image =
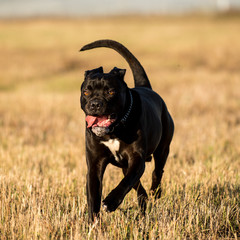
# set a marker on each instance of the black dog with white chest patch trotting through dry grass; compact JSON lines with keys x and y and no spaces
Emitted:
{"x":124,"y":127}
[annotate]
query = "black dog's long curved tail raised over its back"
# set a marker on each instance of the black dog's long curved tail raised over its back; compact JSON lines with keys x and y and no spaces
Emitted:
{"x":139,"y":74}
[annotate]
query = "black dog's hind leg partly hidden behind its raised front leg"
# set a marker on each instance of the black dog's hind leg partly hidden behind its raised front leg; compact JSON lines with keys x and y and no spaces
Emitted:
{"x":141,"y":193}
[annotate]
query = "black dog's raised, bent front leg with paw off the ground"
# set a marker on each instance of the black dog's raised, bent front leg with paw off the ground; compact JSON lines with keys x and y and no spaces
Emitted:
{"x":135,"y":170}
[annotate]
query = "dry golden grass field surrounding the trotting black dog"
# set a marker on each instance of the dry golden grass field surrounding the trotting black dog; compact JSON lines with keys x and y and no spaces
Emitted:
{"x":193,"y":62}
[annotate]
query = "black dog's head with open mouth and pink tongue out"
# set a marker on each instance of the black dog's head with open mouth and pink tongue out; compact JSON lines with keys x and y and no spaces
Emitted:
{"x":103,"y":98}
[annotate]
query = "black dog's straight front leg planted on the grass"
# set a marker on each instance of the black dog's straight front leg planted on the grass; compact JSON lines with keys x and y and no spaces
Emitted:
{"x":94,"y":187}
